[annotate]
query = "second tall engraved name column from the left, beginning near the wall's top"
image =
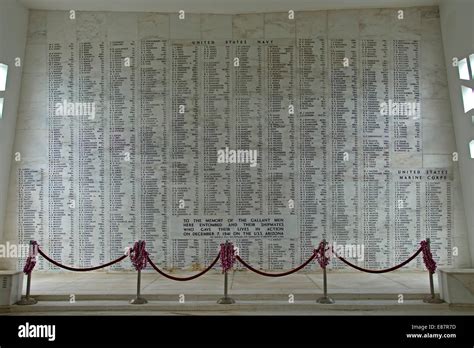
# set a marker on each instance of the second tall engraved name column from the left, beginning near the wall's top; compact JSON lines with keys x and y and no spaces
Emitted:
{"x":90,"y":160}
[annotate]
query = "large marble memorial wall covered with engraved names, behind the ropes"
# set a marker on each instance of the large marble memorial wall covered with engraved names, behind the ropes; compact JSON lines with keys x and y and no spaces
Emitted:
{"x":168,"y":93}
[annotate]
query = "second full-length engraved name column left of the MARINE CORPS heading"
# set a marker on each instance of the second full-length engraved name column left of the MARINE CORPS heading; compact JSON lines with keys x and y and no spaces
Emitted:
{"x":344,"y":141}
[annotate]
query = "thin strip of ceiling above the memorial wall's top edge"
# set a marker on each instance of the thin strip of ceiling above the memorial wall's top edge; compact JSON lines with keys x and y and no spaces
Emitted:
{"x":218,"y":6}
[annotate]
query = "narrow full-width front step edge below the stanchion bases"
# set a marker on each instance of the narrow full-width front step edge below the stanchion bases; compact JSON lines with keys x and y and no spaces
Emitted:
{"x":197,"y":307}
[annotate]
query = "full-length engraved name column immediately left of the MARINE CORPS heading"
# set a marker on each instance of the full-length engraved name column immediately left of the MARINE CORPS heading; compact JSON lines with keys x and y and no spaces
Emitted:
{"x":375,"y":153}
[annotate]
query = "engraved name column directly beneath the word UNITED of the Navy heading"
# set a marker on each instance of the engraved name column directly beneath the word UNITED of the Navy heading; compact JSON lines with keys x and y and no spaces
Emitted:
{"x":214,"y":79}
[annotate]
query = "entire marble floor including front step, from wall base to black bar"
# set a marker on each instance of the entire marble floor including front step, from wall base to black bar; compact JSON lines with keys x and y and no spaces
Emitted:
{"x":355,"y":293}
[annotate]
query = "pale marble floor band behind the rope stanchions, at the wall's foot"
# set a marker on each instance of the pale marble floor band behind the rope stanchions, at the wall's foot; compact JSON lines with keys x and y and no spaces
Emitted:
{"x":240,"y":282}
